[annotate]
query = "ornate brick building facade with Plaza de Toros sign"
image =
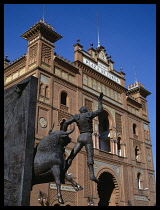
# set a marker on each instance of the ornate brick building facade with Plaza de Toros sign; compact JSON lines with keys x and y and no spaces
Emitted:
{"x":122,"y":148}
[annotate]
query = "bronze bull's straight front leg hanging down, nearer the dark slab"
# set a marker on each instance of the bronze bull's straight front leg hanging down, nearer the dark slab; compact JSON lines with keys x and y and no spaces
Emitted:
{"x":56,"y":173}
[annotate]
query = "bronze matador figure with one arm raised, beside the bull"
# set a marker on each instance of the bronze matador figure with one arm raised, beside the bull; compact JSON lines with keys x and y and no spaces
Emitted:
{"x":84,"y":122}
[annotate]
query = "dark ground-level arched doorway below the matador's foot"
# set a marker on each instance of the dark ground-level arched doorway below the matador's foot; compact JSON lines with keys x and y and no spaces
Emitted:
{"x":106,"y":190}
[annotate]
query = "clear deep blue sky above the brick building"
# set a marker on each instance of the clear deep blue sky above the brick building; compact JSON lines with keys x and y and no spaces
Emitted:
{"x":127,"y":31}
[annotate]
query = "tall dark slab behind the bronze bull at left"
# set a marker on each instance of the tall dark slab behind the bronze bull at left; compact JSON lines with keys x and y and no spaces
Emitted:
{"x":19,"y":128}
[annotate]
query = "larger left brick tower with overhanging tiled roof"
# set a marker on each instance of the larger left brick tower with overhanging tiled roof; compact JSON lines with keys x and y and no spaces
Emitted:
{"x":41,"y":38}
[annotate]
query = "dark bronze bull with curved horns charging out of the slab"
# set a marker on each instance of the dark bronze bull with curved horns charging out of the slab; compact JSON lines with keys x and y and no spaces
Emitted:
{"x":49,"y":161}
